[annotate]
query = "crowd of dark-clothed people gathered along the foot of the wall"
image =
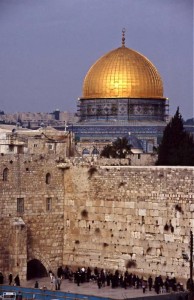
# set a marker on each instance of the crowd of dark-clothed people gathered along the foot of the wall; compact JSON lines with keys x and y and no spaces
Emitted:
{"x":117,"y":279}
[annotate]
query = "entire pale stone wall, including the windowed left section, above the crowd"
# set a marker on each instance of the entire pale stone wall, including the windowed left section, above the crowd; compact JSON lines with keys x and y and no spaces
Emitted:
{"x":112,"y":217}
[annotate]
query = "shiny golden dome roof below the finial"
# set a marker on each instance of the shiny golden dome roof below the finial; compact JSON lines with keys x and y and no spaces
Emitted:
{"x":122,"y":73}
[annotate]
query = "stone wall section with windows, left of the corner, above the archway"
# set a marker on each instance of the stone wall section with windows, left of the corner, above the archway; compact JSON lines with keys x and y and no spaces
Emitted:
{"x":44,"y":228}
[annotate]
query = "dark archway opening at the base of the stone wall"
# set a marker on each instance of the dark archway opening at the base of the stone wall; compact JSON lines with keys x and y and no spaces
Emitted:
{"x":35,"y":269}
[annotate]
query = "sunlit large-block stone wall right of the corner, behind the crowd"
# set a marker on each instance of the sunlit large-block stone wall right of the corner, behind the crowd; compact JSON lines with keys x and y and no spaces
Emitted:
{"x":129,"y":216}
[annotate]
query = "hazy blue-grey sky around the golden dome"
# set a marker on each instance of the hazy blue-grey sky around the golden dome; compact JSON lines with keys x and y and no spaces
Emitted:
{"x":47,"y":47}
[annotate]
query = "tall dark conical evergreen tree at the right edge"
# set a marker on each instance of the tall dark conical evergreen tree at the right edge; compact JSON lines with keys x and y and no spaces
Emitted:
{"x":177,"y":145}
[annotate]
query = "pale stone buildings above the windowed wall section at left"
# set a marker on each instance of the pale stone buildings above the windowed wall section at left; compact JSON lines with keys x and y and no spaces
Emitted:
{"x":41,"y":141}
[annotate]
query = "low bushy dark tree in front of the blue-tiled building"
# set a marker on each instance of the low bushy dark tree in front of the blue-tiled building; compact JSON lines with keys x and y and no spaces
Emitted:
{"x":120,"y":148}
